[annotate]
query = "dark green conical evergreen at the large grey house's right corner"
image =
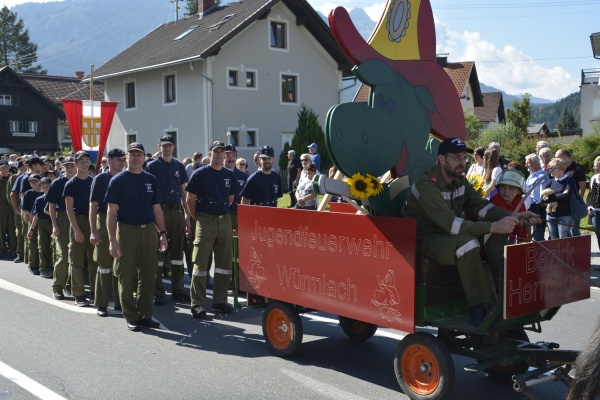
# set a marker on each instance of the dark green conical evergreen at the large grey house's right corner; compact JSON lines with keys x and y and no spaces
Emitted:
{"x":308,"y":131}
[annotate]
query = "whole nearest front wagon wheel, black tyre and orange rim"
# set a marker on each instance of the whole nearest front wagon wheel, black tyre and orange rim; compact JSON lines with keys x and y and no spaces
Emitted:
{"x":424,"y":368}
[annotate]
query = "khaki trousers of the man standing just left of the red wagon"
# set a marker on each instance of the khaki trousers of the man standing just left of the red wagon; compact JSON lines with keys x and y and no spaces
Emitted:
{"x":213,"y":233}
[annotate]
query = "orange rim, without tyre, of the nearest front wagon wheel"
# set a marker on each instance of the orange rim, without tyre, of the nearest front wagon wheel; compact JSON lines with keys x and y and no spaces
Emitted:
{"x":420,"y":369}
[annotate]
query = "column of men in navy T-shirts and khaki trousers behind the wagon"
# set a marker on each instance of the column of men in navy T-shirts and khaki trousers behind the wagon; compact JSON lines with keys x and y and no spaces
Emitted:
{"x":121,"y":223}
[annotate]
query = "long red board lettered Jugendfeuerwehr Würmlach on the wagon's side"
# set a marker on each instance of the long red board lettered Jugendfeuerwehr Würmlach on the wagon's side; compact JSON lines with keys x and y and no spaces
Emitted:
{"x":357,"y":266}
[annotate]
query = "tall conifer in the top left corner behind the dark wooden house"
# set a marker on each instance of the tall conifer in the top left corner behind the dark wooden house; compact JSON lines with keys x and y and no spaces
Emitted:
{"x":16,"y":49}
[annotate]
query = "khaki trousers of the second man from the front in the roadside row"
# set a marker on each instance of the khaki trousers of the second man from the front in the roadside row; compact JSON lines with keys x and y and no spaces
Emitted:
{"x":105,"y":280}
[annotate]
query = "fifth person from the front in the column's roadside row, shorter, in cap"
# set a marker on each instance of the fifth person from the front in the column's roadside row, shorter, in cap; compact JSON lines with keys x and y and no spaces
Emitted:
{"x":42,"y":224}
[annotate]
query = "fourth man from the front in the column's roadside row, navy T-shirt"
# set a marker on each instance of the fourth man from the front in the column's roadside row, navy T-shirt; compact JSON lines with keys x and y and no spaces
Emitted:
{"x":60,"y":227}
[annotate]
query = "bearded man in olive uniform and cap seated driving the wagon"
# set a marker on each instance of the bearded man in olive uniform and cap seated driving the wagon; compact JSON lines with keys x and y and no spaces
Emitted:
{"x":437,"y":199}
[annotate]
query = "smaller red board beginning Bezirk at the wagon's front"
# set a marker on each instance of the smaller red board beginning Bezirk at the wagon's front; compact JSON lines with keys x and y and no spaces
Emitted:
{"x":541,"y":275}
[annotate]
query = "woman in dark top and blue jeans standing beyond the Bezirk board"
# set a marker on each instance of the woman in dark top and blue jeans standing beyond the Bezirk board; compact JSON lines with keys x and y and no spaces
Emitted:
{"x":563,"y":185}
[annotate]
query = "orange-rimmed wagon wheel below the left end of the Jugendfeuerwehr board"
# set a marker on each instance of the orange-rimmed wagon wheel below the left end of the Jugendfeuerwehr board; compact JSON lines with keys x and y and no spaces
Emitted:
{"x":282,"y":329}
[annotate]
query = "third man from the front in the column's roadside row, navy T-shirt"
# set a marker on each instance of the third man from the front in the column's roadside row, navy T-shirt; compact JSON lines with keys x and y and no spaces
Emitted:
{"x":77,"y":200}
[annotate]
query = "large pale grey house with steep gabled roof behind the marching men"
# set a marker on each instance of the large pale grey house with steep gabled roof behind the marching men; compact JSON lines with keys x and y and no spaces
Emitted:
{"x":244,"y":68}
